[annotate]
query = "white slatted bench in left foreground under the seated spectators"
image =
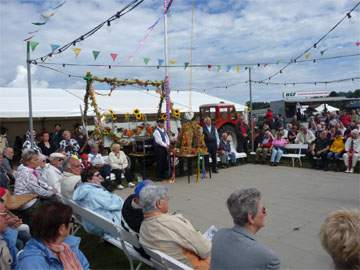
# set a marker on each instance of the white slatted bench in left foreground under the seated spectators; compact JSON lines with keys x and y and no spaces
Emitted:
{"x":126,"y":241}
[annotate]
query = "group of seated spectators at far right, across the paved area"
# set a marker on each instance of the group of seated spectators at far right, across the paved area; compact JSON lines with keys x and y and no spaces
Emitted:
{"x":331,"y":138}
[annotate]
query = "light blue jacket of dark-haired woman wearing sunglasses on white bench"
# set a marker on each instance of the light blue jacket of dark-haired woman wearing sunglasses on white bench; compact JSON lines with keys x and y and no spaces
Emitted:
{"x":101,"y":201}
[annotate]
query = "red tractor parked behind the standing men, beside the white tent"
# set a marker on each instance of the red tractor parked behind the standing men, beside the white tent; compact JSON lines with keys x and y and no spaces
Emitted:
{"x":224,"y":116}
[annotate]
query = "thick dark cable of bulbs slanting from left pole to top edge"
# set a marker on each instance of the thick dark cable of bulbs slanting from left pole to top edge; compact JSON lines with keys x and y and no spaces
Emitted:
{"x":133,"y":4}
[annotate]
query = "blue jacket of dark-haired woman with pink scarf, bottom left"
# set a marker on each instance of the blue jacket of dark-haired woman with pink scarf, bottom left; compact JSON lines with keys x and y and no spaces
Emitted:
{"x":36,"y":255}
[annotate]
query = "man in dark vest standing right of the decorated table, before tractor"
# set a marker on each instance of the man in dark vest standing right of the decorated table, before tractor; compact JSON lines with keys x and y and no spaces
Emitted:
{"x":212,"y":141}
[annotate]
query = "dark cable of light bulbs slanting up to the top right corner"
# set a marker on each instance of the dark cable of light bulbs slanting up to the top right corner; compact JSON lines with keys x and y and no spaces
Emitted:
{"x":306,"y":53}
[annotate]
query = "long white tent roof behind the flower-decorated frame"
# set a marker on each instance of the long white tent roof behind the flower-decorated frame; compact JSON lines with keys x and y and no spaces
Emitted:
{"x":66,"y":102}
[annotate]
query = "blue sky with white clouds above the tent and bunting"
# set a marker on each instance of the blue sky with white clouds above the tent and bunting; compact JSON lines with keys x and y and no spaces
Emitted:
{"x":232,"y":32}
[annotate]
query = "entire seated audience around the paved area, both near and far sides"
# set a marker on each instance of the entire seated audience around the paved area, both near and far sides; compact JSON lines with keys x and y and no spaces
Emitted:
{"x":34,"y":218}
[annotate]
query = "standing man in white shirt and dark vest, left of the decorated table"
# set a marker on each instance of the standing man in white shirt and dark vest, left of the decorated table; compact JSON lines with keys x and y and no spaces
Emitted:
{"x":161,"y":147}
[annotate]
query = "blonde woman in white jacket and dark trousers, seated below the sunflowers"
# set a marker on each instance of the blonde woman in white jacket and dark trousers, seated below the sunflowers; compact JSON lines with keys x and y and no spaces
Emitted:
{"x":120,"y":166}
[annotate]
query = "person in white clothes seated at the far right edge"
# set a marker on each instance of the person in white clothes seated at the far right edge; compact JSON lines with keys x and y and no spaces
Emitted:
{"x":352,"y":148}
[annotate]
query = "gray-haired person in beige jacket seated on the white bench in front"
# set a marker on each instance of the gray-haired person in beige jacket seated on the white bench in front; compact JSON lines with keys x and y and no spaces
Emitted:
{"x":171,"y":234}
